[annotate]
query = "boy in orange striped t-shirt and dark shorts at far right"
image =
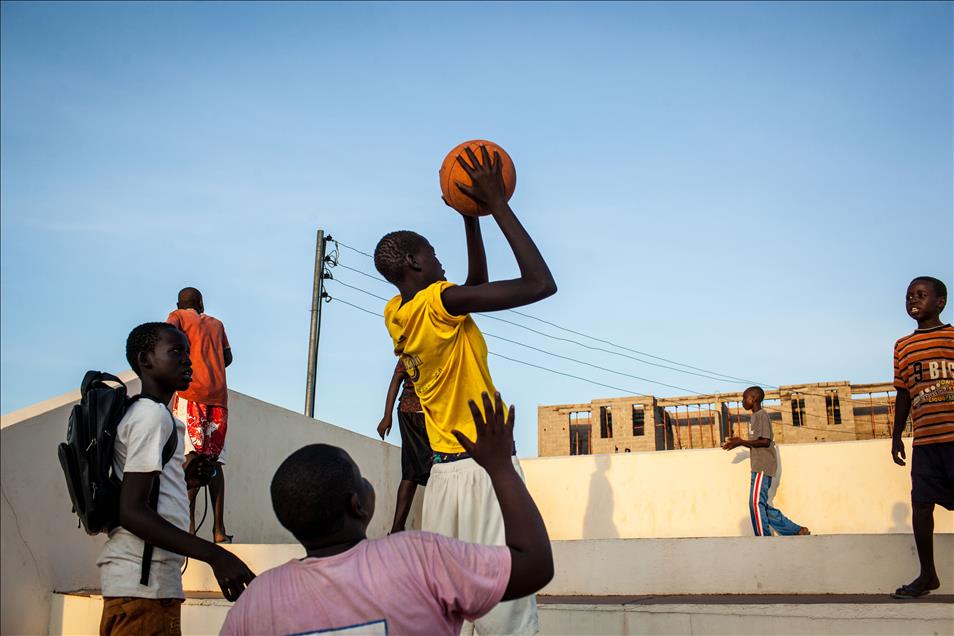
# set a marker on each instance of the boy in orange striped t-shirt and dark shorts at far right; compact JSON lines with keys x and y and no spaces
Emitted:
{"x":924,"y":379}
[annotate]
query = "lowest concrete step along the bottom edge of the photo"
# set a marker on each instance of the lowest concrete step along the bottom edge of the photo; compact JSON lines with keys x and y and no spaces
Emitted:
{"x":203,"y":613}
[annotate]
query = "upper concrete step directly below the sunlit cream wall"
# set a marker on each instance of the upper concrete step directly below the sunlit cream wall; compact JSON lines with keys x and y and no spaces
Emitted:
{"x":818,"y":564}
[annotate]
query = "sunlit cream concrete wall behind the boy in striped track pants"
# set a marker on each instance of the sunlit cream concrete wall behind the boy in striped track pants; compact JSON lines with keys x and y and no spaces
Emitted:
{"x":833,"y":488}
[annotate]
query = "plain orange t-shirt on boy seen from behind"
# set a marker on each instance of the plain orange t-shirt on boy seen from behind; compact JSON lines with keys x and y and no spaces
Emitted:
{"x":207,"y":342}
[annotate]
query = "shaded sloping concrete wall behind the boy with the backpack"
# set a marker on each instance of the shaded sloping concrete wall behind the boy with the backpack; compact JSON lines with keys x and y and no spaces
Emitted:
{"x":44,"y":550}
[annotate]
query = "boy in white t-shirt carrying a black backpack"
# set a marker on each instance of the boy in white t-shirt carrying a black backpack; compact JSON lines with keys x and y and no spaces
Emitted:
{"x":159,"y":354}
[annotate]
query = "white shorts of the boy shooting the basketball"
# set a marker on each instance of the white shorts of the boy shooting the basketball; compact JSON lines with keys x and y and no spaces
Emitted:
{"x":459,"y":502}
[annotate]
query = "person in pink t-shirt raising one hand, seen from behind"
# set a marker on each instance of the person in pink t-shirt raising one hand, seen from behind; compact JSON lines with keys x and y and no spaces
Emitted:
{"x":406,"y":583}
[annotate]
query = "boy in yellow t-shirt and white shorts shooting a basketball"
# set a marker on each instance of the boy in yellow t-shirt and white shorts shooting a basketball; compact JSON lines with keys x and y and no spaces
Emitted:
{"x":446,"y":357}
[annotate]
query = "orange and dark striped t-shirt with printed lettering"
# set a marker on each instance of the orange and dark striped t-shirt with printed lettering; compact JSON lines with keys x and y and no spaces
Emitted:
{"x":924,"y":365}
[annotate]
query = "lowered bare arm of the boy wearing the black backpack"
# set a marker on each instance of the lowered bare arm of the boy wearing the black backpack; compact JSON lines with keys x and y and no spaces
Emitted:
{"x":136,"y":516}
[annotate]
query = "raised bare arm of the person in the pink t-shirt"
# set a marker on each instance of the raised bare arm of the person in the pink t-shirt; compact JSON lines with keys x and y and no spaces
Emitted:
{"x":531,"y":558}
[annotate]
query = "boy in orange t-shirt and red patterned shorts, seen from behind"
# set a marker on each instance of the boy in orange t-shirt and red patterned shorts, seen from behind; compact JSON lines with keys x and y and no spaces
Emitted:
{"x":204,"y":405}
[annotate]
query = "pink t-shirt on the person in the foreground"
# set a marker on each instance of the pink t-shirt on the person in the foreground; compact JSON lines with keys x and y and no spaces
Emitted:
{"x":407,"y":583}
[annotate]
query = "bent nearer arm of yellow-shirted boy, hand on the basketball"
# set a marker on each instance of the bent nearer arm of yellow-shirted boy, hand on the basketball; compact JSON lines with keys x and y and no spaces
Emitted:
{"x":535,"y":282}
